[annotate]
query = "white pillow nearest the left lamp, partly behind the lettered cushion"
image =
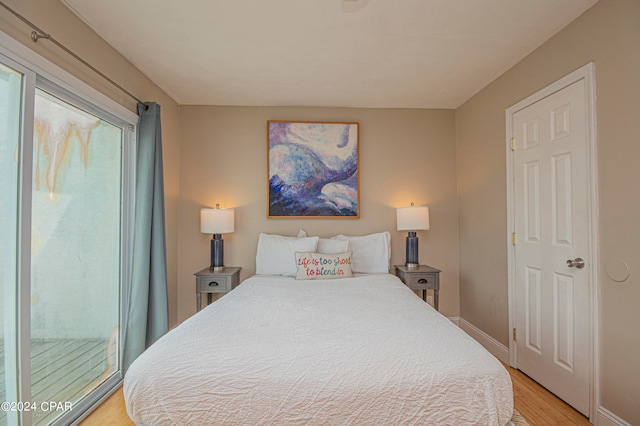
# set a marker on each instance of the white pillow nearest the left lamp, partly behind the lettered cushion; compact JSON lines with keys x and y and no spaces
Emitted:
{"x":276,"y":255}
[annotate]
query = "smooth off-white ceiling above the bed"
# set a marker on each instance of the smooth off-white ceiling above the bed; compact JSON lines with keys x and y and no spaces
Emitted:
{"x":338,"y":53}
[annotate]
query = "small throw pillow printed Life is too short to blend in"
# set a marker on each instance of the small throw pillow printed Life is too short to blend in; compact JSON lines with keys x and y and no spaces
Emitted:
{"x":321,"y":266}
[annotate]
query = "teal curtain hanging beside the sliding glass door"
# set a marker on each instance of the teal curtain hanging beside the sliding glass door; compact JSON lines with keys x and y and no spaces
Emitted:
{"x":147,"y":316}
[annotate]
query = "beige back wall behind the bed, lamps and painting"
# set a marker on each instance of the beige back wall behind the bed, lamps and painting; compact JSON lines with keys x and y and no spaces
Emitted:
{"x":405,"y":155}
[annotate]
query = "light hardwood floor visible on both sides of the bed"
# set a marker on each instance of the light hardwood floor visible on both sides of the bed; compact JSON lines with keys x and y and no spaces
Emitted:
{"x":537,"y":405}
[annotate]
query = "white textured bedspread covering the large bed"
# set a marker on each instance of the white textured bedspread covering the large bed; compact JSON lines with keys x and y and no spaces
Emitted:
{"x":355,"y":351}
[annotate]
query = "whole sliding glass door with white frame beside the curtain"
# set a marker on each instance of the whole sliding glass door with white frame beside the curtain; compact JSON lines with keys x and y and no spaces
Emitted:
{"x":65,"y":204}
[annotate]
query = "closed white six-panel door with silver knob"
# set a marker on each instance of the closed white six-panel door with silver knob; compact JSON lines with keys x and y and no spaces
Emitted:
{"x":551,"y":208}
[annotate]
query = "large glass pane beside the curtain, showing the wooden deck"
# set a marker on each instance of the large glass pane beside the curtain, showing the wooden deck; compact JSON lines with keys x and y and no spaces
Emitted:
{"x":75,"y":253}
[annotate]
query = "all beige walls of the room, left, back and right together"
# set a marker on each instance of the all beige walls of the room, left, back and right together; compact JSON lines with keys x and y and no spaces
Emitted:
{"x":405,"y":155}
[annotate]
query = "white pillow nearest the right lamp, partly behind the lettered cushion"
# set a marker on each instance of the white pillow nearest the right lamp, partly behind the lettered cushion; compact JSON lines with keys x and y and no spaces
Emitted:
{"x":370,"y":254}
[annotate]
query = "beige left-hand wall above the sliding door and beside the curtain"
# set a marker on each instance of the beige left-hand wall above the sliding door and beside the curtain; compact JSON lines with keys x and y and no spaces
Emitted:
{"x":54,"y":18}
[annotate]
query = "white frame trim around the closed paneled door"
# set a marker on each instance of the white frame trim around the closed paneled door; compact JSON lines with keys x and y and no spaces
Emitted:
{"x":586,"y":73}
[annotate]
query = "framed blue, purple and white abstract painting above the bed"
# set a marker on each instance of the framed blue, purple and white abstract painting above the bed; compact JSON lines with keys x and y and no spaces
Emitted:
{"x":313,"y":169}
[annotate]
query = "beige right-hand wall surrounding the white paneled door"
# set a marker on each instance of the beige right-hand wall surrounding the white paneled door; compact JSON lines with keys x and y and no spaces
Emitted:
{"x":609,"y":35}
